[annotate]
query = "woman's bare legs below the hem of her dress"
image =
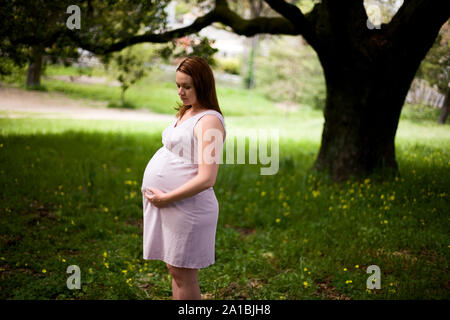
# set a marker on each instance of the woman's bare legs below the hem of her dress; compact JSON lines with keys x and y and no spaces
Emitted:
{"x":184,"y":283}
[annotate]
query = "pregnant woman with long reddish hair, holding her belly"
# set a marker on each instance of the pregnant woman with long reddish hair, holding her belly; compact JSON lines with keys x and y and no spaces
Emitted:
{"x":179,"y":204}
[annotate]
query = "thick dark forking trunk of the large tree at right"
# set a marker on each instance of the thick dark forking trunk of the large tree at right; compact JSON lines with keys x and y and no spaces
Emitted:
{"x":368,"y":74}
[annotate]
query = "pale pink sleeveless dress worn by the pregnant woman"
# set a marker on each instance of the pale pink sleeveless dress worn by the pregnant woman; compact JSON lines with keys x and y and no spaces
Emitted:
{"x":183,"y":233}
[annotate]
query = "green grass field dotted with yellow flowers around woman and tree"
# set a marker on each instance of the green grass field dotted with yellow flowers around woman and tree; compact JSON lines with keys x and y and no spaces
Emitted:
{"x":70,"y":195}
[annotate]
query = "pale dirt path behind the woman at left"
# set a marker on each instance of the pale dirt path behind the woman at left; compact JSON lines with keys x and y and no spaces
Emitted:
{"x":19,"y":103}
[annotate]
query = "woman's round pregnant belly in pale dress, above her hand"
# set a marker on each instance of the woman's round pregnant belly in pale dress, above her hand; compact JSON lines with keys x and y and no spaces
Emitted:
{"x":166,"y":171}
